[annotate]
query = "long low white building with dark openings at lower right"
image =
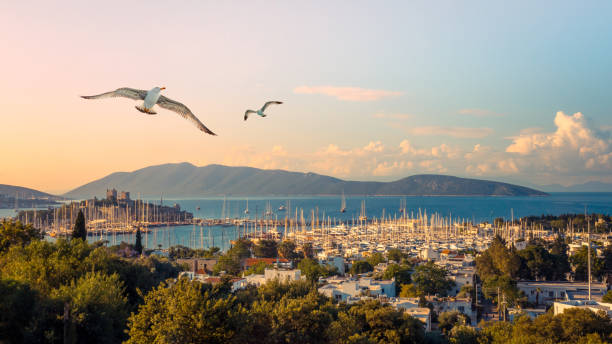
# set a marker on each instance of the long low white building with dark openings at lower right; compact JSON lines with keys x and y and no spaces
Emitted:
{"x":544,"y":292}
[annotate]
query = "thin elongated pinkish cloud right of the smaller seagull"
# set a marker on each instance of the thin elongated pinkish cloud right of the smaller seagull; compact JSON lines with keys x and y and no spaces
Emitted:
{"x":355,"y":94}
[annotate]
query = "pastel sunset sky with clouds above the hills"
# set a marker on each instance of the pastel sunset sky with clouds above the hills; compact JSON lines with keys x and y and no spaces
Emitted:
{"x":516,"y":92}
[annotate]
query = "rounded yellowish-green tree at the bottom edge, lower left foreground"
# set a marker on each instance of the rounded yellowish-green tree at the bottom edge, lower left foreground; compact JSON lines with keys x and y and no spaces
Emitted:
{"x":97,"y":308}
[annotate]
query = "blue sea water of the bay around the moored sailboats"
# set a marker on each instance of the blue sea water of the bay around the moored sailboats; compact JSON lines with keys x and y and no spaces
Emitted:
{"x":474,"y":208}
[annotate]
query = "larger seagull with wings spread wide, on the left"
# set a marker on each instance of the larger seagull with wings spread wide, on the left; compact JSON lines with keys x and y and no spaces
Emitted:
{"x":151,"y":98}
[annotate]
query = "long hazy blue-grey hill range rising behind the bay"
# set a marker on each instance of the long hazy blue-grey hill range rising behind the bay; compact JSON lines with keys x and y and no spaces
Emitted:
{"x":187,"y":180}
